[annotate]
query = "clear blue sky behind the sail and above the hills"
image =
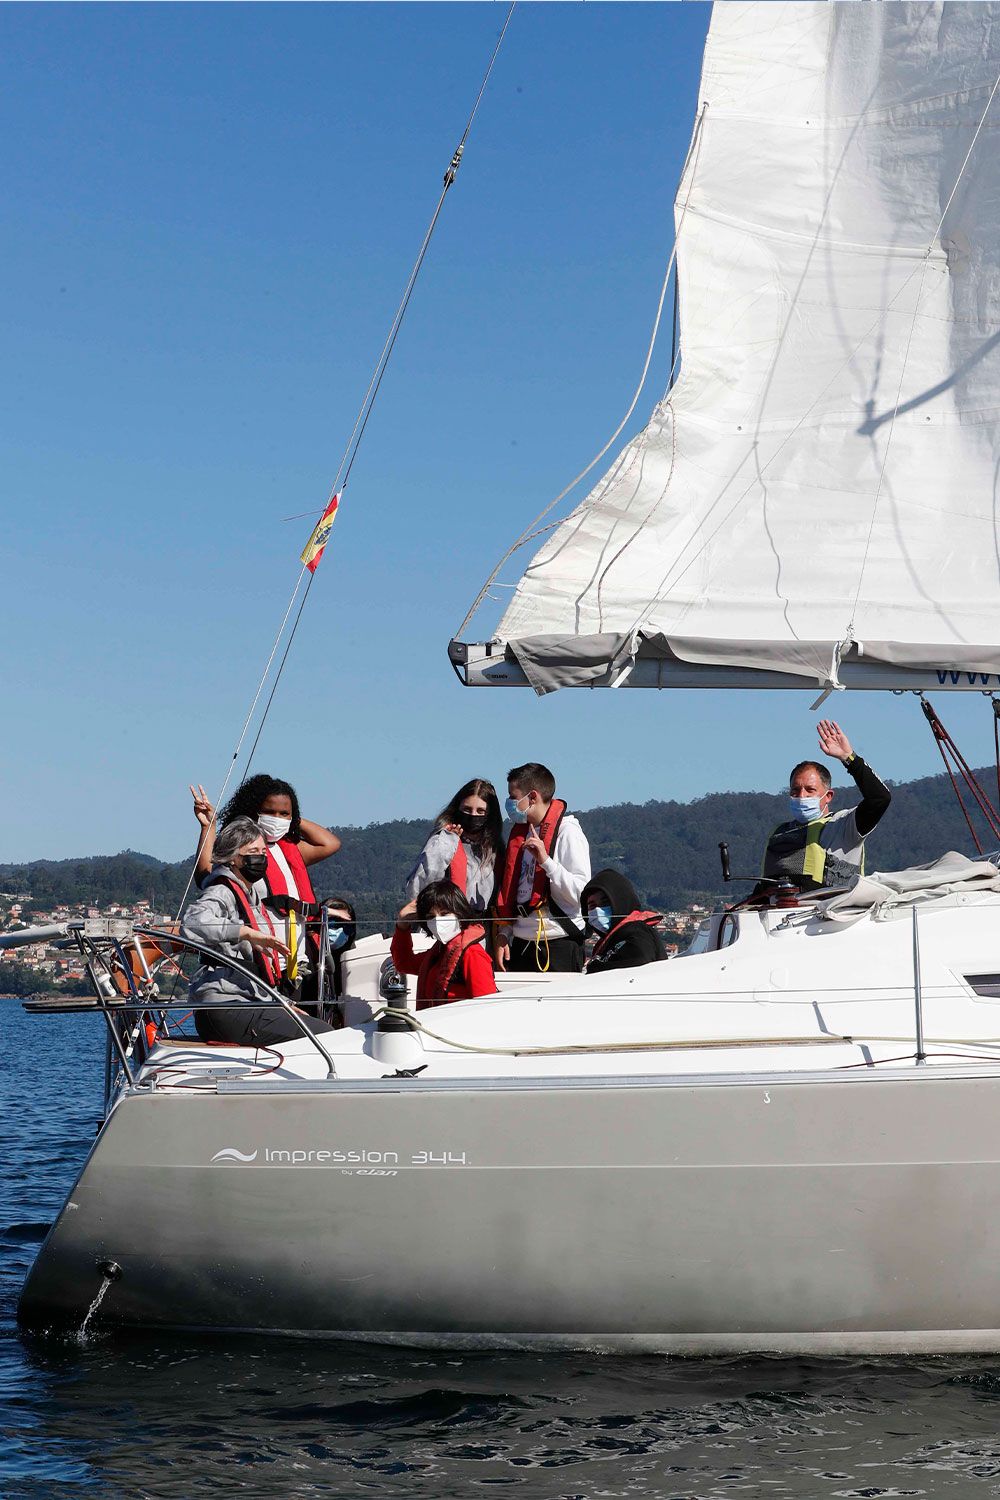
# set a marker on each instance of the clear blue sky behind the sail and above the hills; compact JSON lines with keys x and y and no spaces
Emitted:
{"x":209,"y":215}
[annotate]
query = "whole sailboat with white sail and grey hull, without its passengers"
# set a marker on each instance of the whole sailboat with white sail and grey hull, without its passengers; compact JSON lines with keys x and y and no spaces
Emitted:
{"x":789,"y":1138}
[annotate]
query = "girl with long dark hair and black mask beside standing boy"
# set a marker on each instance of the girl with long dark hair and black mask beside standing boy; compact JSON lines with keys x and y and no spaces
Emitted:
{"x":464,"y":847}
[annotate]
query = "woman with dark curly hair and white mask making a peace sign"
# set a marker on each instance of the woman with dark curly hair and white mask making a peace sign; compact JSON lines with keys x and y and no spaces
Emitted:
{"x":295,"y":844}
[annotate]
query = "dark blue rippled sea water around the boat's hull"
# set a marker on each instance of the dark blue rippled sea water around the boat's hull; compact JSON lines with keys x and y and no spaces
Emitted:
{"x":176,"y":1418}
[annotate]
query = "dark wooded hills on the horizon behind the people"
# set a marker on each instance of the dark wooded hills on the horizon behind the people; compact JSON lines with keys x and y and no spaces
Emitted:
{"x":668,"y":850}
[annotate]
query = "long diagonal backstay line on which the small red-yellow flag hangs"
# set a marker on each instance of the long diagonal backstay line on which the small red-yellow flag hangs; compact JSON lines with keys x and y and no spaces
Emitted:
{"x":347,"y":461}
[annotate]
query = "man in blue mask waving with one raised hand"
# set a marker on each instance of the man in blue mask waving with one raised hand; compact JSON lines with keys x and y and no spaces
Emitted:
{"x":816,"y":847}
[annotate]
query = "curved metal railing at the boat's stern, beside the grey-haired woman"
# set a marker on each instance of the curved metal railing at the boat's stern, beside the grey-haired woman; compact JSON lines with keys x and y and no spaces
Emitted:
{"x":124,"y":961}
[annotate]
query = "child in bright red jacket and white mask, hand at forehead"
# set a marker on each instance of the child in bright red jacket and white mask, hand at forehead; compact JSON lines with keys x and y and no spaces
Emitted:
{"x":458,"y":967}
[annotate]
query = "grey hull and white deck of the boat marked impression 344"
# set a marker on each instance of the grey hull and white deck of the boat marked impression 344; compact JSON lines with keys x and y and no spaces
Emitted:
{"x":728,"y":1153}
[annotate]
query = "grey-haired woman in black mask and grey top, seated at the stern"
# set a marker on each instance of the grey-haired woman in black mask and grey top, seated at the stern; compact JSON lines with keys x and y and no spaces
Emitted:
{"x":230,"y":919}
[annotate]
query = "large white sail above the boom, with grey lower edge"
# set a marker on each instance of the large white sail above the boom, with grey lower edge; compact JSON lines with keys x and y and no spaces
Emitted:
{"x":821,"y":484}
